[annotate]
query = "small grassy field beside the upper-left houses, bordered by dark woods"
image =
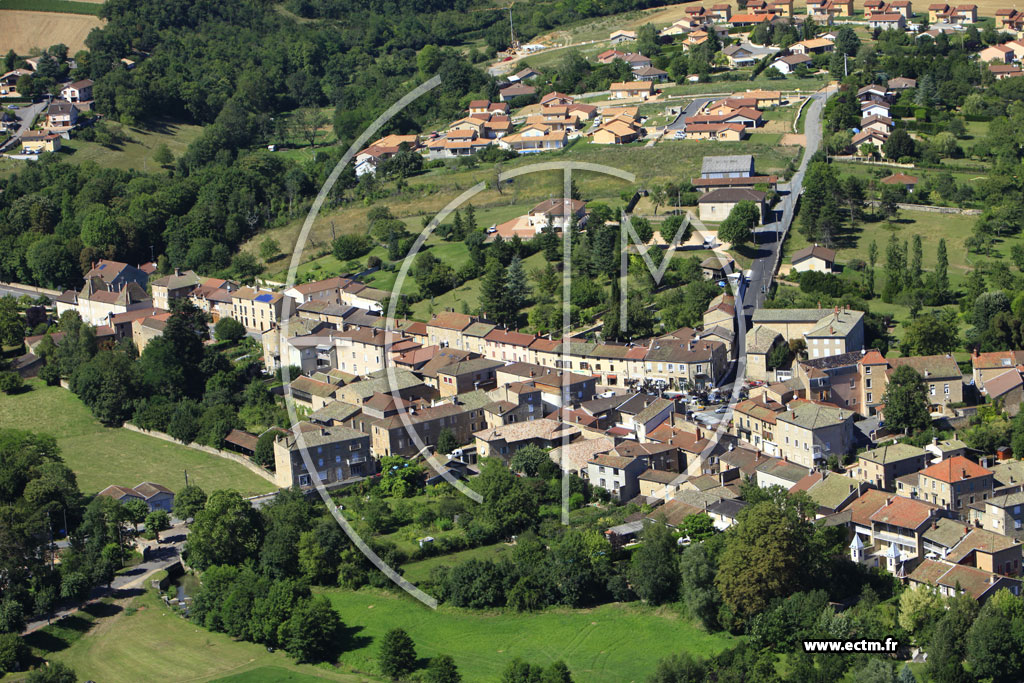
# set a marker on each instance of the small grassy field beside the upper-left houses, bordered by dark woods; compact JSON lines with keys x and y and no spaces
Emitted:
{"x":137,"y":151}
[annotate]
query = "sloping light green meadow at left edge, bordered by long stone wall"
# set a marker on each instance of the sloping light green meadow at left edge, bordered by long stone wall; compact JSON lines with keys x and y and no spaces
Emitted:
{"x":101,"y":456}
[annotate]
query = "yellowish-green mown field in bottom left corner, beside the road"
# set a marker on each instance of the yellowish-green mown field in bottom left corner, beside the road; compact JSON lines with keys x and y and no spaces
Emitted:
{"x":154,"y":644}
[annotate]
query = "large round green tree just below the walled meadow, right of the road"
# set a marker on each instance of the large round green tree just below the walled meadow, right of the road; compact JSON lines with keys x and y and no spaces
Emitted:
{"x":227,"y":531}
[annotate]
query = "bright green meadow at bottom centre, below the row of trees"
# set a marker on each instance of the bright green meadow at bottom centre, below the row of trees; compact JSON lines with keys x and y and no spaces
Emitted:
{"x":611,"y":644}
